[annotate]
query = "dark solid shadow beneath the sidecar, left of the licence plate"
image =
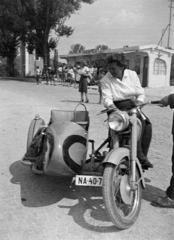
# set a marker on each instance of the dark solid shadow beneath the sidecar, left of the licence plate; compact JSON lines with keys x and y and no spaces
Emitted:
{"x":39,"y":190}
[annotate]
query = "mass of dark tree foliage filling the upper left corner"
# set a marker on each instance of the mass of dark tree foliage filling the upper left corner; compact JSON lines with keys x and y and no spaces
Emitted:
{"x":34,"y":22}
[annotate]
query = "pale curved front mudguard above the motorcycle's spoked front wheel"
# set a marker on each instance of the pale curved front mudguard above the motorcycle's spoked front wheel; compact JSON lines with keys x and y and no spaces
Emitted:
{"x":116,"y":155}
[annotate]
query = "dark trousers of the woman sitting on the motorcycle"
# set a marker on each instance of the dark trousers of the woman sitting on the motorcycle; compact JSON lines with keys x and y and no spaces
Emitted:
{"x":146,"y":136}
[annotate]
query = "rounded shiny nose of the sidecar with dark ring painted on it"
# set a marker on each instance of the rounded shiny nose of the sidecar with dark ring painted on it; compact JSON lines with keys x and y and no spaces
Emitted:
{"x":66,"y":149}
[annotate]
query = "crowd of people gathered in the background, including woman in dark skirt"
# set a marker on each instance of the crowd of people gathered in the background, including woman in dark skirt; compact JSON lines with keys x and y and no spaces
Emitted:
{"x":80,"y":74}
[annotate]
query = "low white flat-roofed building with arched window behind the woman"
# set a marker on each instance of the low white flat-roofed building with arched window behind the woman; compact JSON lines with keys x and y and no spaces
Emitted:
{"x":151,"y":62}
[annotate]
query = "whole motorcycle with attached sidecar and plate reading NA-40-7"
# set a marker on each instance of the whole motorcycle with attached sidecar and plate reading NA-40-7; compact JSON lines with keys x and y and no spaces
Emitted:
{"x":60,"y":149}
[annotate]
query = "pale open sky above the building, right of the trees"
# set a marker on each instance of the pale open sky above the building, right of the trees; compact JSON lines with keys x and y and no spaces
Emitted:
{"x":117,"y":23}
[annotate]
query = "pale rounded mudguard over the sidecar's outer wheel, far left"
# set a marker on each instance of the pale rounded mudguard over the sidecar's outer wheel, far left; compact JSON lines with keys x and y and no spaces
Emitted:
{"x":33,"y":128}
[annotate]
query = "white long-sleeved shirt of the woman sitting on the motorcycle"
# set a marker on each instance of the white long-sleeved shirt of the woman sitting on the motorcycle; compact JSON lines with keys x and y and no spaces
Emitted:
{"x":113,"y":89}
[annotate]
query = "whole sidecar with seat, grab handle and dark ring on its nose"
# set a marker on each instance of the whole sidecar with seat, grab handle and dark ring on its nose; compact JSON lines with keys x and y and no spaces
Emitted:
{"x":60,"y":147}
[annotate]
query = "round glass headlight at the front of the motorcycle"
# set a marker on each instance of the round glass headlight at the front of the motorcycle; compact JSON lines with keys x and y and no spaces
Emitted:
{"x":118,"y":121}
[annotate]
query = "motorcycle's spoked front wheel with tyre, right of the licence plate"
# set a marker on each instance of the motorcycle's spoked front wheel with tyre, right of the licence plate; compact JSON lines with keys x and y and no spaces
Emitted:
{"x":122,"y":205}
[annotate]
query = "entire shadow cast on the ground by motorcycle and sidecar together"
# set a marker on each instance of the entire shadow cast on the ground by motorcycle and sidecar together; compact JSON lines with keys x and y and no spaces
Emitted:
{"x":88,"y":212}
